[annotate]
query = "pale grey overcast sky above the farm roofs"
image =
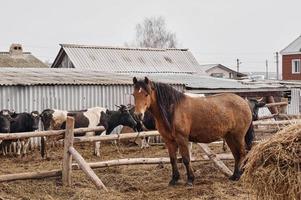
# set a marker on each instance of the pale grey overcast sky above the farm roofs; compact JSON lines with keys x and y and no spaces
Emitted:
{"x":216,"y":31}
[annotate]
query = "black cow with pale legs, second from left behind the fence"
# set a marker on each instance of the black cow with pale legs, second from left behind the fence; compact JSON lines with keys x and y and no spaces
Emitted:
{"x":24,"y":122}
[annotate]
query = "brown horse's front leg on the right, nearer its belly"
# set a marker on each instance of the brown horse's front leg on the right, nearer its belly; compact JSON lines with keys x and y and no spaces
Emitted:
{"x":185,"y":153}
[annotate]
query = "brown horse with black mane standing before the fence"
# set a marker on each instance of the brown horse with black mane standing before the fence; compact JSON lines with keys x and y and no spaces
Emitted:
{"x":180,"y":118}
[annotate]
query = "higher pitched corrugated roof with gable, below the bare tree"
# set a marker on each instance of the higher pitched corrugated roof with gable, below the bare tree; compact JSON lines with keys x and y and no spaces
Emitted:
{"x":117,"y":59}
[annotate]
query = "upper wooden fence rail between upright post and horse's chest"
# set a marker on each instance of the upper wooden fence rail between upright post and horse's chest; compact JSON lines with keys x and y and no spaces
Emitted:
{"x":115,"y":137}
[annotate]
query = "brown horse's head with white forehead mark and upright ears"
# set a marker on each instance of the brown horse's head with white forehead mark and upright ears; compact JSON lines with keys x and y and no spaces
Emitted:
{"x":142,"y":95}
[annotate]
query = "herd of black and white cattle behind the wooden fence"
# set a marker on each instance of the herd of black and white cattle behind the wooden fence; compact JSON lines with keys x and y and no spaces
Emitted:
{"x":12,"y":122}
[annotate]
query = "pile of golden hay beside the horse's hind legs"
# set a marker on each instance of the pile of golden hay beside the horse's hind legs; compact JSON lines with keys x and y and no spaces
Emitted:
{"x":273,"y":167}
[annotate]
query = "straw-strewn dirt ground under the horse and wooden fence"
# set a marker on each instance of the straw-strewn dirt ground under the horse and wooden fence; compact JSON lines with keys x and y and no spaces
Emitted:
{"x":123,"y":182}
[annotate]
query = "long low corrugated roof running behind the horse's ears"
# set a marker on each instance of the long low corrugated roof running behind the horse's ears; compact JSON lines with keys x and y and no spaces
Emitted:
{"x":53,"y":76}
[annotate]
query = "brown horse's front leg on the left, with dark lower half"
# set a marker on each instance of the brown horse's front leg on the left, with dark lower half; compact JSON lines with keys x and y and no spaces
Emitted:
{"x":172,"y":150}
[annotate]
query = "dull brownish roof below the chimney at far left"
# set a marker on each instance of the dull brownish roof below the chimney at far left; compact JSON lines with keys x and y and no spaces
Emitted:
{"x":25,"y":60}
